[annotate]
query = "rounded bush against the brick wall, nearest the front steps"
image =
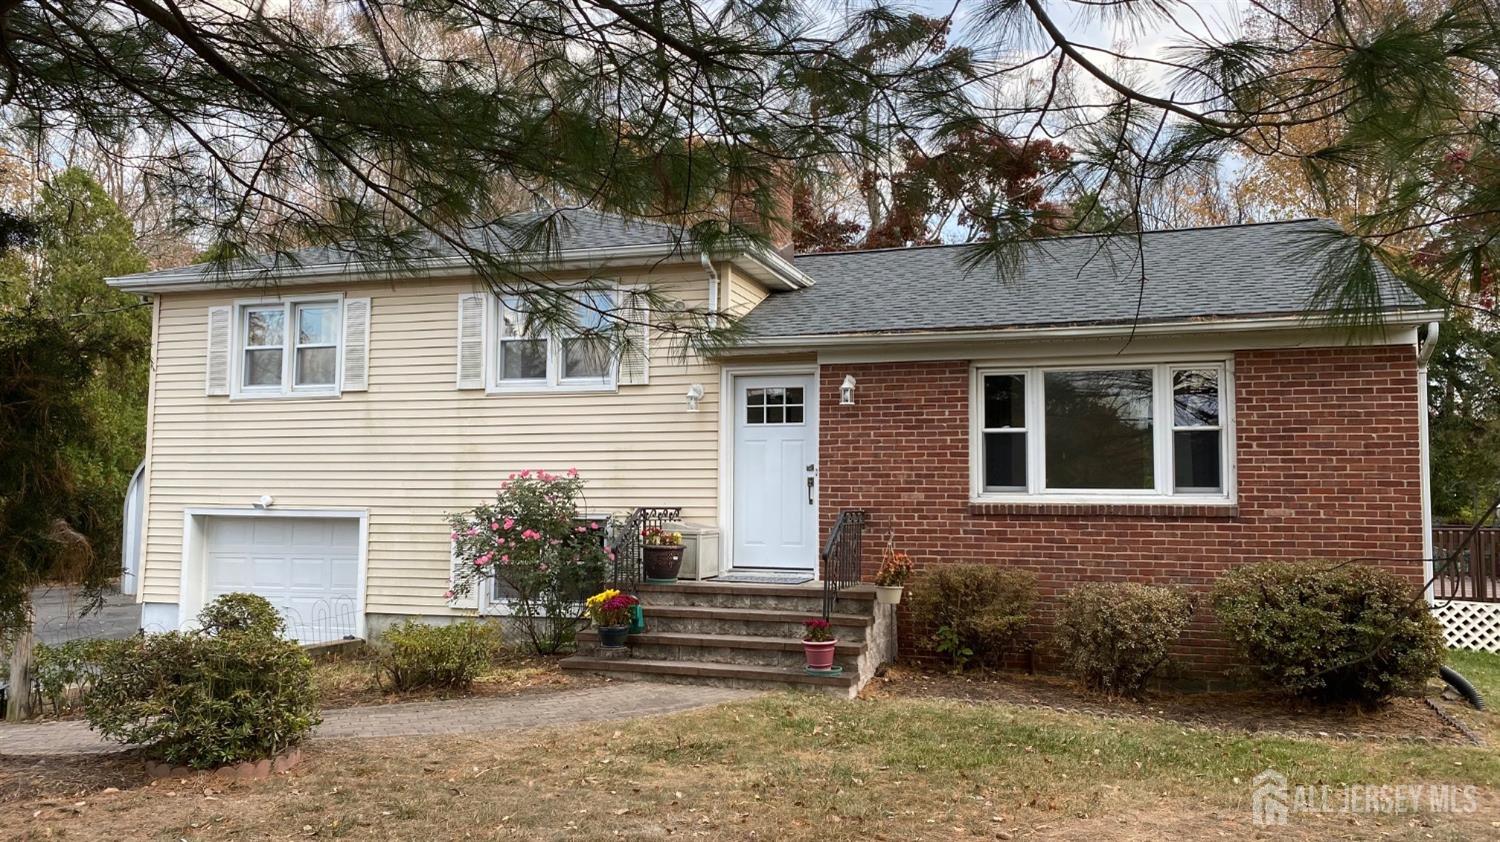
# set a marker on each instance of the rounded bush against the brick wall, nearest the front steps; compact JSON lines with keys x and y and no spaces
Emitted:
{"x":976,"y":612}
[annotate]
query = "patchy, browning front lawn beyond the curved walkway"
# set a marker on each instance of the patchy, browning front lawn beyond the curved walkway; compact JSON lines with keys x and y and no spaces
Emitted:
{"x":778,"y":768}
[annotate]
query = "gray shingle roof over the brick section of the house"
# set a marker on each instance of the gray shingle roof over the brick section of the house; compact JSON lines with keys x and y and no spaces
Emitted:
{"x":1192,"y":274}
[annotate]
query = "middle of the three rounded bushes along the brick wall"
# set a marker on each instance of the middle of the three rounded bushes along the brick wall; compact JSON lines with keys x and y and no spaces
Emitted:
{"x":1115,"y":636}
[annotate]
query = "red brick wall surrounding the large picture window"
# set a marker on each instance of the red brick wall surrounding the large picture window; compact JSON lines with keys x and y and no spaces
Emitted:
{"x":1328,"y":468}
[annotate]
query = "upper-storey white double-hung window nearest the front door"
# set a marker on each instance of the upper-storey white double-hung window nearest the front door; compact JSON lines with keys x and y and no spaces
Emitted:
{"x":577,"y":358}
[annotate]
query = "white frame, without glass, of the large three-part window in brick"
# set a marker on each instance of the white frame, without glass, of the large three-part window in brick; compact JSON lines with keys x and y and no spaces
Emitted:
{"x":1163,"y":427}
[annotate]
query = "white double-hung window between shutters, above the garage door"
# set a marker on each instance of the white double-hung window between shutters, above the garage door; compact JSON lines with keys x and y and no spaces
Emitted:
{"x":289,"y":347}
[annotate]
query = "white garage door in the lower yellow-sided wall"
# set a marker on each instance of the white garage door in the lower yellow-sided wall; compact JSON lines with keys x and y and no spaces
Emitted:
{"x":308,"y":568}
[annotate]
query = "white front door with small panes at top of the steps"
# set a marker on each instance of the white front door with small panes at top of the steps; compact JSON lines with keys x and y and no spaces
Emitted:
{"x":775,"y":472}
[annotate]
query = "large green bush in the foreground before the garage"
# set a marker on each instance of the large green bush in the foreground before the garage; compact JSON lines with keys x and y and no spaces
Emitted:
{"x":206,"y":700}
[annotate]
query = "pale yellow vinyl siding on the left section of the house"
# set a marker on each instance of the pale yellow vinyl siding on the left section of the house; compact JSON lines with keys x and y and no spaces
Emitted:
{"x":415,"y":447}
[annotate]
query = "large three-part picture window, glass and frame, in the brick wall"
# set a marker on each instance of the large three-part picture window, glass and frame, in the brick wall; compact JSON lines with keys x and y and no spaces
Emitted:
{"x":1097,"y":433}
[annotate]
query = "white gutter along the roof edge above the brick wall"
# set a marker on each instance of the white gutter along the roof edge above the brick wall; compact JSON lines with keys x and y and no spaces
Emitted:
{"x":1084,"y":332}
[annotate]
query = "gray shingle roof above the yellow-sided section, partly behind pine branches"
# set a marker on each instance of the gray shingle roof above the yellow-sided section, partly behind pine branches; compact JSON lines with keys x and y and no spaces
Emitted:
{"x":575,"y":230}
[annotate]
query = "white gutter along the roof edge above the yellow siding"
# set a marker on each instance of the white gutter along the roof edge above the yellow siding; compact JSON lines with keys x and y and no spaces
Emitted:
{"x":772,"y":268}
